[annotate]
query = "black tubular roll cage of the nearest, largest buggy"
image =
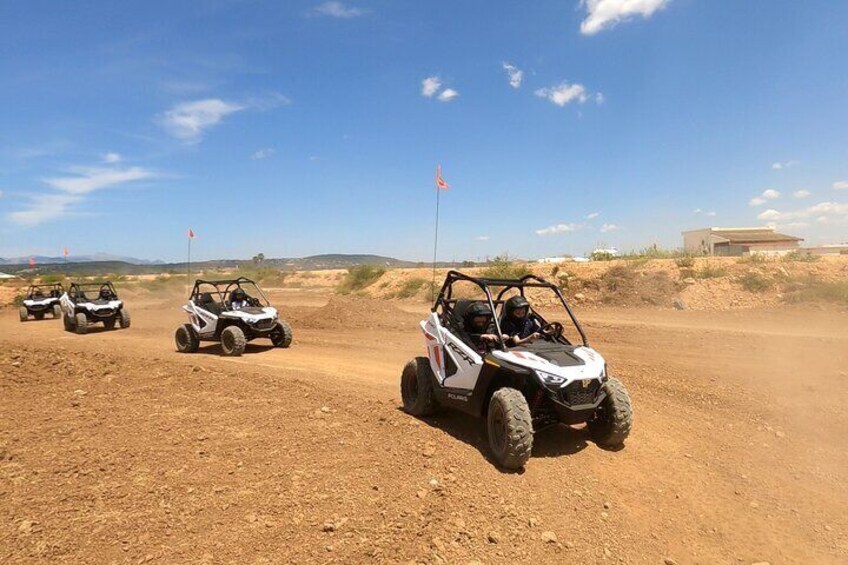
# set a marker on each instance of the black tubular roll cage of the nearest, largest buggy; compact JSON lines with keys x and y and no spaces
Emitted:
{"x":447,"y":302}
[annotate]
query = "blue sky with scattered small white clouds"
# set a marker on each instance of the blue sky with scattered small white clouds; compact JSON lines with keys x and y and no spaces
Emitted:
{"x":315,"y":127}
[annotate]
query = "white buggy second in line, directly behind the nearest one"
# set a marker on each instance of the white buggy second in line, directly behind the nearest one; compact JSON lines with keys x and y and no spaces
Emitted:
{"x":231,"y":312}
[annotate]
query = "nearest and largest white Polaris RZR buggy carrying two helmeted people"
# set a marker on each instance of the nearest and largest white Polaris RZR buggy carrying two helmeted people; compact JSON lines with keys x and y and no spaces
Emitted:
{"x":518,"y":389}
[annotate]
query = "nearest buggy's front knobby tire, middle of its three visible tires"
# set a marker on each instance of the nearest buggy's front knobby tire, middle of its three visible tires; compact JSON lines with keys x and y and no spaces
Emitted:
{"x":510,"y":428}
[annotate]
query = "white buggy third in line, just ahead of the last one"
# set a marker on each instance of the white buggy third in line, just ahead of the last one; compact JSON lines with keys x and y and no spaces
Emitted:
{"x":89,"y":303}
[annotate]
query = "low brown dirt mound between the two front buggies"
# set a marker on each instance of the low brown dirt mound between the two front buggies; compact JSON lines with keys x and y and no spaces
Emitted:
{"x":352,"y":312}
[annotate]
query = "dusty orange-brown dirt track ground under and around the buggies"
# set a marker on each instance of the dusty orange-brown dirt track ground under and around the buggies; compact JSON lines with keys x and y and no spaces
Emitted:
{"x":114,"y":448}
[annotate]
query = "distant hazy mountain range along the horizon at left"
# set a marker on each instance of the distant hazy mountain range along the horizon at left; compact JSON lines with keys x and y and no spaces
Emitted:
{"x":101,"y":264}
